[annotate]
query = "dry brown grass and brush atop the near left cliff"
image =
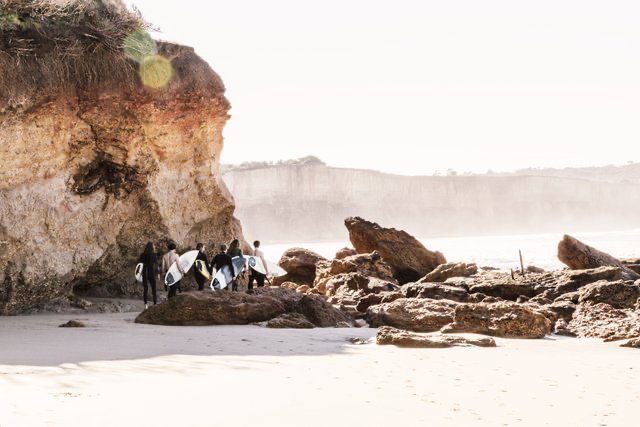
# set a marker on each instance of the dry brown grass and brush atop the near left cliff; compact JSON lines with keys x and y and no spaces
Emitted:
{"x":49,"y":45}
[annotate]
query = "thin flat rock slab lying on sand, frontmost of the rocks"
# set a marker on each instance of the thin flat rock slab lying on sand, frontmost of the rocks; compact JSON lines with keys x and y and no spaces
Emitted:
{"x":391,"y":336}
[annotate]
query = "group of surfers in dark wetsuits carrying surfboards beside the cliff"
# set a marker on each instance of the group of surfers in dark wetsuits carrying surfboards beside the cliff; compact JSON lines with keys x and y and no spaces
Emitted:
{"x":152,"y":268}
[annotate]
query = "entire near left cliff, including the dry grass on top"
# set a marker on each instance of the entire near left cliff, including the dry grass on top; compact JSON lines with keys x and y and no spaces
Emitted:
{"x":100,"y":153}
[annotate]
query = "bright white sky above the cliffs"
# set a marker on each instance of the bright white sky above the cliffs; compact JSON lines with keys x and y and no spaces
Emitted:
{"x":417,"y":86}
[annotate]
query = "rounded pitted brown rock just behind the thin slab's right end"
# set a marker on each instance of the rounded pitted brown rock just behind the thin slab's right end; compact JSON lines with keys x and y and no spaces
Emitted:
{"x":504,"y":319}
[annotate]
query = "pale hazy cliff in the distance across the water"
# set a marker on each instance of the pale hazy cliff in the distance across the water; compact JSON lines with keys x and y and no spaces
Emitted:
{"x":309,"y":203}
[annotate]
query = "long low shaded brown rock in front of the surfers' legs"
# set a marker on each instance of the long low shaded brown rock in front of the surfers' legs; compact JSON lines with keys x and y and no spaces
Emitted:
{"x":238,"y":308}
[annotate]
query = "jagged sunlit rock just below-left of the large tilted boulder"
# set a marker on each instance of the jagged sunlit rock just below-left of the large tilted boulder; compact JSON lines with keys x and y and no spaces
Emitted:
{"x":365,"y":265}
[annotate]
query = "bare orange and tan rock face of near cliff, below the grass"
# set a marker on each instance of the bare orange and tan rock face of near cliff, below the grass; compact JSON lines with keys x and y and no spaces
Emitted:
{"x":92,"y":172}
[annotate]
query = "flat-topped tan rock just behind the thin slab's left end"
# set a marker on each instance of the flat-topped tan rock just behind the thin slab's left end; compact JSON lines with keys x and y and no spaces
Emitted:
{"x":420,"y":315}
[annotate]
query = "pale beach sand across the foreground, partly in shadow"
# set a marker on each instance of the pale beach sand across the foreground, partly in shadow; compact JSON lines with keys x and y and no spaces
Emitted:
{"x":117,"y":373}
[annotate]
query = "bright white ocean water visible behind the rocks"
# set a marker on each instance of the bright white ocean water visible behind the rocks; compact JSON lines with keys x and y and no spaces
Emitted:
{"x":498,"y":251}
